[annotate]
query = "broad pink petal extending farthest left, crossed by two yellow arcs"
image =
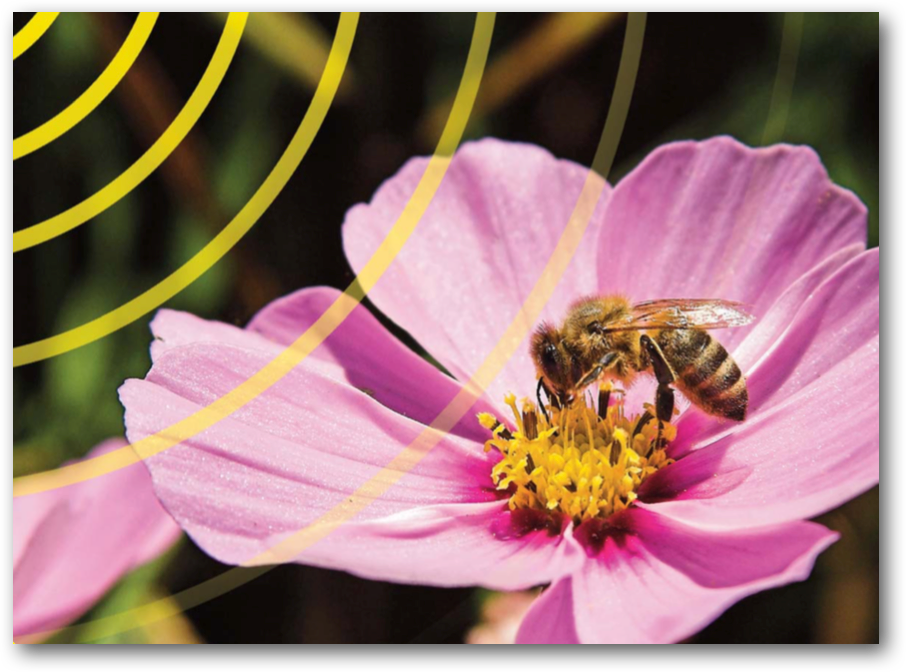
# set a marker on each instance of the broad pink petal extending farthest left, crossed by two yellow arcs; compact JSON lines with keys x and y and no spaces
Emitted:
{"x":298,"y":451}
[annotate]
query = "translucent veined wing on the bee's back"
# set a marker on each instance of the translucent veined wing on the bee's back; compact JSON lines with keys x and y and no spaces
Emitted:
{"x":685,"y":314}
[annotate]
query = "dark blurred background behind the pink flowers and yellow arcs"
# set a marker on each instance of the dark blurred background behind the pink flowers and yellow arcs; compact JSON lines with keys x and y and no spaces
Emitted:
{"x":702,"y":74}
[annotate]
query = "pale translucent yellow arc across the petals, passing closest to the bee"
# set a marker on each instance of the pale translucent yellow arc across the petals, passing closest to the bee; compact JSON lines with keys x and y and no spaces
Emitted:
{"x":557,"y":266}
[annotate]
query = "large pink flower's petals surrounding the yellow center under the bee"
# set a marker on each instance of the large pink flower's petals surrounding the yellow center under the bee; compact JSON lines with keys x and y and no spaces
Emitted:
{"x":695,"y":220}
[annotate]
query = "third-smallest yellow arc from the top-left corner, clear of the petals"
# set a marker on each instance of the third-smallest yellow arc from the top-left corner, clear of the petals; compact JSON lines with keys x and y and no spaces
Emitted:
{"x":154,"y":157}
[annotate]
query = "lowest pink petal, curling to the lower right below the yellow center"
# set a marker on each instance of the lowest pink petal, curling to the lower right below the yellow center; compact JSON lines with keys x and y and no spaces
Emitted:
{"x":666,"y":582}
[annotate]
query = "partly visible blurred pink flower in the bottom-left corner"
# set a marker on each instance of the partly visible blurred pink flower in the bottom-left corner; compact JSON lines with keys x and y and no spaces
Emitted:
{"x":71,"y":546}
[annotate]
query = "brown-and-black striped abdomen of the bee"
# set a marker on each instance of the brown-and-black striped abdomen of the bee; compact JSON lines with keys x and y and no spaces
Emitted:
{"x":706,"y":373}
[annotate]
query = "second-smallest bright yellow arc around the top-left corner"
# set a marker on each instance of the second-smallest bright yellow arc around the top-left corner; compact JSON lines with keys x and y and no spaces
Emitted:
{"x":94,"y":95}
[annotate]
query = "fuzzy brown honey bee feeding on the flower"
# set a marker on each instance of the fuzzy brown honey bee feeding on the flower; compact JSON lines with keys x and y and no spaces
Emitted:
{"x":609,"y":338}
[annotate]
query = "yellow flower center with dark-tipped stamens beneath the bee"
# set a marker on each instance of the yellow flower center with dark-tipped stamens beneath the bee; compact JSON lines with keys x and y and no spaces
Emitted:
{"x":581,"y":462}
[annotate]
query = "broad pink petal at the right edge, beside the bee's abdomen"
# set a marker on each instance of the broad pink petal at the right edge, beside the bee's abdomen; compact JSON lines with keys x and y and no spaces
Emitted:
{"x":815,"y":443}
